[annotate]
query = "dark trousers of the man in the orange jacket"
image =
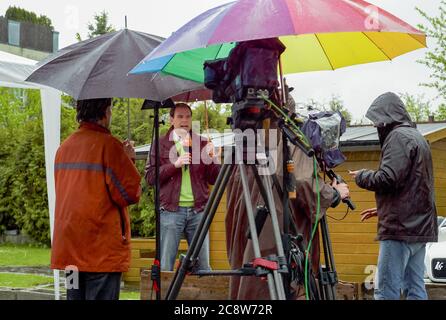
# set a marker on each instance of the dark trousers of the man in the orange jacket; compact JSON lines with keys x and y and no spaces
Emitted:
{"x":93,"y":285}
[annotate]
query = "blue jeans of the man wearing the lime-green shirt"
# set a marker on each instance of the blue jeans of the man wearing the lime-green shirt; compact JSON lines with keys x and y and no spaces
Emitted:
{"x":175,"y":224}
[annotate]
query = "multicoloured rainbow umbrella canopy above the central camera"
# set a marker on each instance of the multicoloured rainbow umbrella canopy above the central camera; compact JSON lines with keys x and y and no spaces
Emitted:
{"x":318,"y":35}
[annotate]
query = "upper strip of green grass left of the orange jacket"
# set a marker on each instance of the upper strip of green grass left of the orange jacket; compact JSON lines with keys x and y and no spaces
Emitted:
{"x":23,"y":255}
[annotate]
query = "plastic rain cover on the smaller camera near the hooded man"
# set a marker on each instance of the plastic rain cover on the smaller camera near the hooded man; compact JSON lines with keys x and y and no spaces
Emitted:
{"x":324,"y":130}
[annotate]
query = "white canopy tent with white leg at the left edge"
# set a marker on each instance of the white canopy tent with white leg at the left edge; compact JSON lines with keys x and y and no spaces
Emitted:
{"x":13,"y":72}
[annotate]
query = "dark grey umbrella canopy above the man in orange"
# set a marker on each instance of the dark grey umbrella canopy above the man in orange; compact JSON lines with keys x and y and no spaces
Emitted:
{"x":98,"y":68}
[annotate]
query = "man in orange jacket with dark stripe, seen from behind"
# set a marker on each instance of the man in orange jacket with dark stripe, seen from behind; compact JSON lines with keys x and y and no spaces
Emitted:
{"x":96,"y":180}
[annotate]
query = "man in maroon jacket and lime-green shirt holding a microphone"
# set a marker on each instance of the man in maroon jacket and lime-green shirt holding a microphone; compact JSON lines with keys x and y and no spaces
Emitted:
{"x":184,"y":185}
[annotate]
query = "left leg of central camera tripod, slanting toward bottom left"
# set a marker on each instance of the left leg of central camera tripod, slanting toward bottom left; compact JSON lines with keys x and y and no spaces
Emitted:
{"x":200,"y":234}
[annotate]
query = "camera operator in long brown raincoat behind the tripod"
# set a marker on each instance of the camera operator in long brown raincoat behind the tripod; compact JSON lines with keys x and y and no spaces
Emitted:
{"x":303,"y":212}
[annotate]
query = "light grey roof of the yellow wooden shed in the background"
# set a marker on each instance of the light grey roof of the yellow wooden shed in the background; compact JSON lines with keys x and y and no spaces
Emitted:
{"x":356,"y":138}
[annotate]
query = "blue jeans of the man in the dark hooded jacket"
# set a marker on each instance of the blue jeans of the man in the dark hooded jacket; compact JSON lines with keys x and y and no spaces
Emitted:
{"x":400,"y":269}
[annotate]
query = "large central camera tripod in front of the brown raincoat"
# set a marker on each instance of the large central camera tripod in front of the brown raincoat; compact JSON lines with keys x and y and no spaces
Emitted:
{"x":272,"y":267}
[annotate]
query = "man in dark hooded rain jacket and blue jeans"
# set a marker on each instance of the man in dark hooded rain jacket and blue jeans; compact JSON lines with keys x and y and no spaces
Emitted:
{"x":404,"y":192}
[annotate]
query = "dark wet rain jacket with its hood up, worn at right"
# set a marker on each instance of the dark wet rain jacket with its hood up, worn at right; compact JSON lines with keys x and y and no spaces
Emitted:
{"x":404,"y":182}
